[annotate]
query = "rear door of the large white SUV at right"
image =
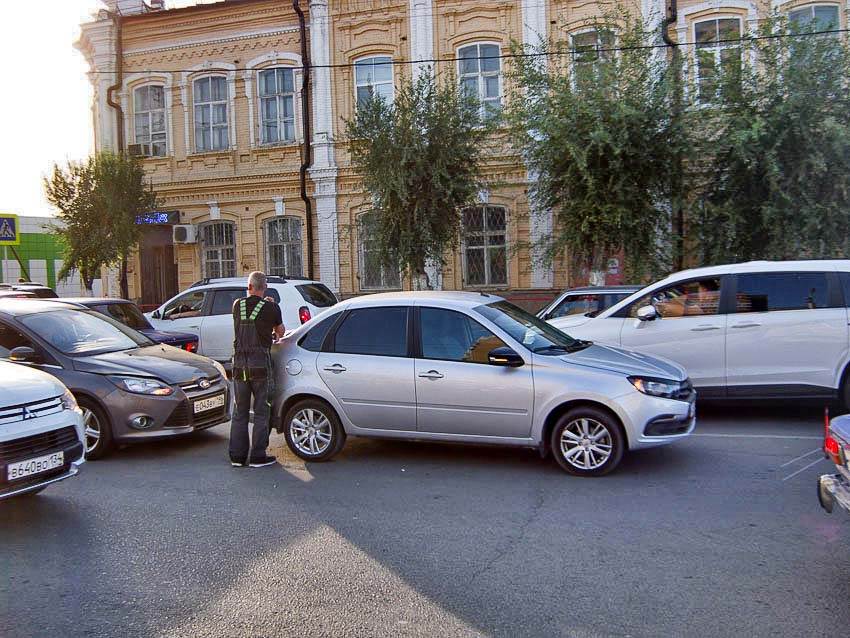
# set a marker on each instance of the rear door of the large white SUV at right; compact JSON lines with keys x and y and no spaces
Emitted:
{"x":785,"y":335}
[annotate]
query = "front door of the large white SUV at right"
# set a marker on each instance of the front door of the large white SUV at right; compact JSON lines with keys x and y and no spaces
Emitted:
{"x":690,"y":330}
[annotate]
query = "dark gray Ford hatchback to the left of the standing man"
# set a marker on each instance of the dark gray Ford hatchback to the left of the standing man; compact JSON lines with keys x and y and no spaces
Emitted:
{"x":129,"y":387}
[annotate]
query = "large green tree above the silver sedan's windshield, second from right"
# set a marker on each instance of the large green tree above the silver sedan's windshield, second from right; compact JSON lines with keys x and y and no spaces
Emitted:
{"x":597,"y":128}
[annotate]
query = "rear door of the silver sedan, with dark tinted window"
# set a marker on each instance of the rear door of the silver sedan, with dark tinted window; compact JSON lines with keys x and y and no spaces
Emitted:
{"x":369,"y":371}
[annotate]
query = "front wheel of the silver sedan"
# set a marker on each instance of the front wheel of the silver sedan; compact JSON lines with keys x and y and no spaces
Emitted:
{"x":587,"y":441}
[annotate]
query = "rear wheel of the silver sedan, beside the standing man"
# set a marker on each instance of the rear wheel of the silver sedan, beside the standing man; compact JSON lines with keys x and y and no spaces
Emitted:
{"x":313,"y":431}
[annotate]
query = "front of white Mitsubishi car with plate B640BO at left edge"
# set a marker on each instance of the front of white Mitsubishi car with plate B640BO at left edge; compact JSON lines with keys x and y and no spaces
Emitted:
{"x":41,"y":431}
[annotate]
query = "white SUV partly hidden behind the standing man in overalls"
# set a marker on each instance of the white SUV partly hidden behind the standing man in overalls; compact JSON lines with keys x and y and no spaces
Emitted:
{"x":205,"y":309}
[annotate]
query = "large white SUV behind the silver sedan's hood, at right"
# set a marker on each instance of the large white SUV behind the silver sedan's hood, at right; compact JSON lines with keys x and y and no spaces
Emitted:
{"x":762,"y":330}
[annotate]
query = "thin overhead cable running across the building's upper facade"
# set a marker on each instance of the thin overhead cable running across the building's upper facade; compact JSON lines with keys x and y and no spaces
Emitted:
{"x":503,"y":56}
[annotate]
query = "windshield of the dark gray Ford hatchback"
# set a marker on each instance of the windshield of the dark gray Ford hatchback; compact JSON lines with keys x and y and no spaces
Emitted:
{"x":83,"y":332}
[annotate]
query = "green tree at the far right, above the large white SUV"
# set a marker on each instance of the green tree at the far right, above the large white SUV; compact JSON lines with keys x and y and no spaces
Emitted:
{"x":780,"y":181}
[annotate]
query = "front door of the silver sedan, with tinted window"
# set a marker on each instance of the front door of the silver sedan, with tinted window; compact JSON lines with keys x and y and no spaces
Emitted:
{"x":458,"y":391}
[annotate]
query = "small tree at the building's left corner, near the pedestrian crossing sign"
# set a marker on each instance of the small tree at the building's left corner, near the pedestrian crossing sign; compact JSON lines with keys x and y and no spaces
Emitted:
{"x":98,"y":201}
